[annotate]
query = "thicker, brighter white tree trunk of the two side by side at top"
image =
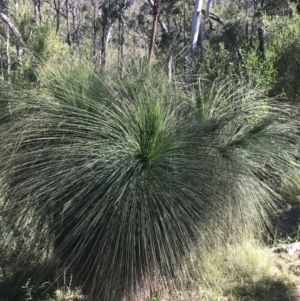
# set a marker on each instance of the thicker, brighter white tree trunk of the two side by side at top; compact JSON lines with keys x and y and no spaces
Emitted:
{"x":194,"y":34}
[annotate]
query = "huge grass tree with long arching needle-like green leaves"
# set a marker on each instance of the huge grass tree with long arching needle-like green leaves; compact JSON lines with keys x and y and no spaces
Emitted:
{"x":133,"y":176}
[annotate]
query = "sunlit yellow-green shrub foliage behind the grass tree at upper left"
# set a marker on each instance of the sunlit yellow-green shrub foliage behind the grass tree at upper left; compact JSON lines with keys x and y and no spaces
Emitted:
{"x":42,"y":47}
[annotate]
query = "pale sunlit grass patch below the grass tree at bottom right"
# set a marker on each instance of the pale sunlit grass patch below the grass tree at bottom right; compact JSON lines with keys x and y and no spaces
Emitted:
{"x":245,"y":271}
